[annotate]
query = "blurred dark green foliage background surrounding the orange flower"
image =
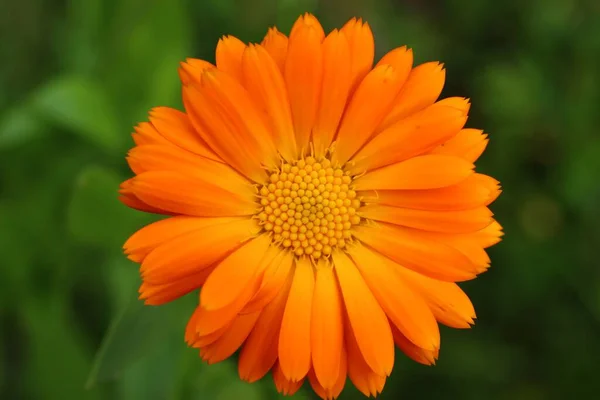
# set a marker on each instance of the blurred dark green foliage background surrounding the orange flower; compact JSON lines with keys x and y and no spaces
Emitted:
{"x":75,"y":76}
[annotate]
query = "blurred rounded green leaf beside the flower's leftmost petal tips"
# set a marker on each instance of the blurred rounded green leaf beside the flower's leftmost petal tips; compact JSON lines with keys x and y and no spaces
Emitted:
{"x":95,"y":214}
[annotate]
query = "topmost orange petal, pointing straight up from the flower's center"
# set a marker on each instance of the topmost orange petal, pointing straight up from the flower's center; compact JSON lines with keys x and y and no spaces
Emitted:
{"x":303,"y":75}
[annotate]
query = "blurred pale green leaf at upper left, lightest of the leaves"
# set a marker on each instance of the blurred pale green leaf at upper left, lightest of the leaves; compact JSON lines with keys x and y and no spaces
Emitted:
{"x":81,"y":105}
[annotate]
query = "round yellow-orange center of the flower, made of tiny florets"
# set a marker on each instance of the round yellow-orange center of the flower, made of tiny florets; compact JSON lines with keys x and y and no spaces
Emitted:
{"x":309,"y":206}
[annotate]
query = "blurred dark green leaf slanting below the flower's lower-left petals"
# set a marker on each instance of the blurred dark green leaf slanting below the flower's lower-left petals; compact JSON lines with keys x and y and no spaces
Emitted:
{"x":136,"y":332}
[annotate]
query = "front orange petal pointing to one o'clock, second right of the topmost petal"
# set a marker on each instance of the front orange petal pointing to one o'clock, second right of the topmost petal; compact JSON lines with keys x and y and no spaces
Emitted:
{"x":369,"y":104}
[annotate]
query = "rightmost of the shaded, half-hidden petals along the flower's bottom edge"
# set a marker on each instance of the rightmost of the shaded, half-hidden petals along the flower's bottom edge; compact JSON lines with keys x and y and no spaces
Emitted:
{"x":362,"y":376}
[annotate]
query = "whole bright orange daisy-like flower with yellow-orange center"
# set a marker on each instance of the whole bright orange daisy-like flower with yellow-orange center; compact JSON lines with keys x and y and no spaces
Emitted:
{"x":326,"y":207}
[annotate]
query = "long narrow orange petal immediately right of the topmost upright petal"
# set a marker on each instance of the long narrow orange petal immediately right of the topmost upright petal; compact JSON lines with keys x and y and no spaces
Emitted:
{"x":334,"y":92}
